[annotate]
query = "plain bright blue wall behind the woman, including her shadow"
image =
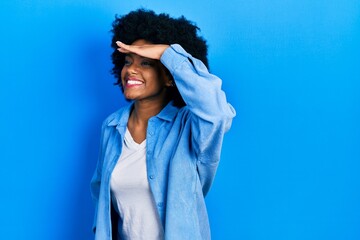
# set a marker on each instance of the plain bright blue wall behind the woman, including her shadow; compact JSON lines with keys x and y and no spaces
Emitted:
{"x":290,"y":164}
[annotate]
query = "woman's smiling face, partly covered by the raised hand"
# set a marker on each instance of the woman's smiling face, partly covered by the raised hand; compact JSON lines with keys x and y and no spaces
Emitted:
{"x":143,"y":78}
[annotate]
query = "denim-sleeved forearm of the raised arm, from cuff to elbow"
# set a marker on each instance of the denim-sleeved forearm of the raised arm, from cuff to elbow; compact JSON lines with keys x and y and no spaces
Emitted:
{"x":200,"y":90}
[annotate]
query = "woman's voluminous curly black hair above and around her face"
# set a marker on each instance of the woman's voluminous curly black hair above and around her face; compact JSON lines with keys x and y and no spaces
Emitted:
{"x":157,"y":29}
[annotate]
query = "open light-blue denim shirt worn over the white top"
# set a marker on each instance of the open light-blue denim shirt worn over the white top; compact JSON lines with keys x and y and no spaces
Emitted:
{"x":183,"y":151}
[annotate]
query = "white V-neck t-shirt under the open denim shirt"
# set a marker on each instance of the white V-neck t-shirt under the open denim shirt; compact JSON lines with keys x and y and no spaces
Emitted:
{"x":131,"y":194}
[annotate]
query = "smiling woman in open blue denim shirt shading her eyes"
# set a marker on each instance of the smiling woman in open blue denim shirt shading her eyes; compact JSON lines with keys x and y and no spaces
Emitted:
{"x":159,"y":154}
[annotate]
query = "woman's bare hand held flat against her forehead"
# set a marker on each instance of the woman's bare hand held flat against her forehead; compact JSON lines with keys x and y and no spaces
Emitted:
{"x":153,"y":51}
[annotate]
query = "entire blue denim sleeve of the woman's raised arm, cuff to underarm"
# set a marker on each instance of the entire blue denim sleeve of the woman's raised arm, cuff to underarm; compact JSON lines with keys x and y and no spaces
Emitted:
{"x":210,"y":112}
